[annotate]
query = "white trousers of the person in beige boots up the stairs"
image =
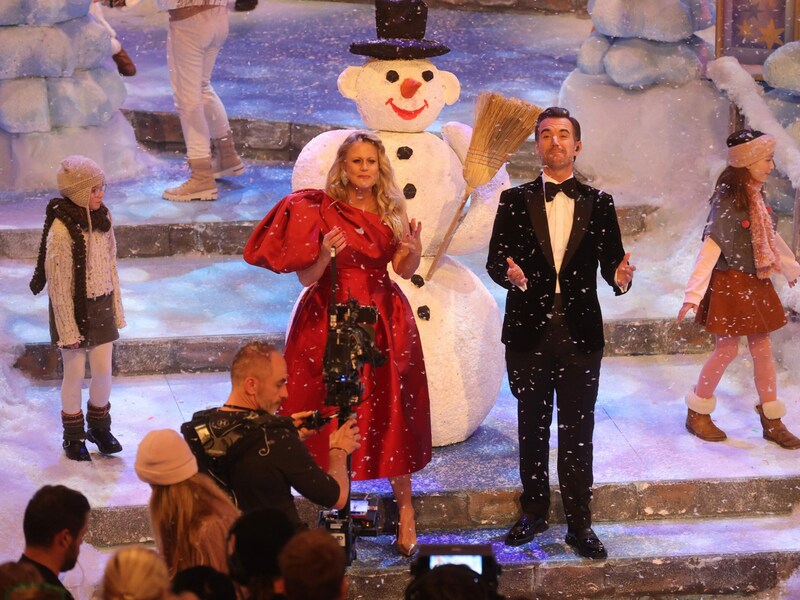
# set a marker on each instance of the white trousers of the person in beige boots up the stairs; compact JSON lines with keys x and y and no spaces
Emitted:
{"x":192,"y":48}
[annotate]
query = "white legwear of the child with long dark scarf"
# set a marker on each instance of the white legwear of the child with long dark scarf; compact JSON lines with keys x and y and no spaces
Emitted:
{"x":74,"y":370}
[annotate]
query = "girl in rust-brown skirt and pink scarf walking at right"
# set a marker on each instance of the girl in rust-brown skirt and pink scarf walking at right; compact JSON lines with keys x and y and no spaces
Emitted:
{"x":730,"y":288}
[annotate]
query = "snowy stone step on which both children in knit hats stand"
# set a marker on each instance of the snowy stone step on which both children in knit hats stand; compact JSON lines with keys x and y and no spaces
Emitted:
{"x":647,"y":468}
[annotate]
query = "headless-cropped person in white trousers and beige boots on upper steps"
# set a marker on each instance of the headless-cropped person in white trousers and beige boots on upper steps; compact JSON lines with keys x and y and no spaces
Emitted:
{"x":197,"y":30}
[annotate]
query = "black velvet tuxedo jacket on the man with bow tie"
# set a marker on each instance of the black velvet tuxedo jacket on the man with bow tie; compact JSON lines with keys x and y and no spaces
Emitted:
{"x":521,"y":232}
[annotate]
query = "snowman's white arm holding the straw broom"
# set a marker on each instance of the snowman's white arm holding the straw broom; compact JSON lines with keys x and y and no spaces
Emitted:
{"x":475,"y":230}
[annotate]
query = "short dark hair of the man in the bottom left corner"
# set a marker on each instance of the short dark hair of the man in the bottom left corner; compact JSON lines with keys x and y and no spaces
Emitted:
{"x":51,"y":510}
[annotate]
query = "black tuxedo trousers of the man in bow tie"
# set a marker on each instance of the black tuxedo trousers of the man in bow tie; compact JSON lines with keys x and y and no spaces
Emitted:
{"x":556,"y":367}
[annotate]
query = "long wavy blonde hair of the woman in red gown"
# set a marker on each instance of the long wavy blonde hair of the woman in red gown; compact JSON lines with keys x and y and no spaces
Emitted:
{"x":391,"y":203}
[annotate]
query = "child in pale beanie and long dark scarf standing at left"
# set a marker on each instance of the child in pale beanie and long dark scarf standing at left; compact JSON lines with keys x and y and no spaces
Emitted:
{"x":78,"y":262}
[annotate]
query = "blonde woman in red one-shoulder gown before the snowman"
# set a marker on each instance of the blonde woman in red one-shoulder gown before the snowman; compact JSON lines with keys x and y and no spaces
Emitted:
{"x":361,"y":216}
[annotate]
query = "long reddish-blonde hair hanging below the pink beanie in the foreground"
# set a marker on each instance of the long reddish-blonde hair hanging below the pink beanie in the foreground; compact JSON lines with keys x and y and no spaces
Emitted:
{"x":177,"y":512}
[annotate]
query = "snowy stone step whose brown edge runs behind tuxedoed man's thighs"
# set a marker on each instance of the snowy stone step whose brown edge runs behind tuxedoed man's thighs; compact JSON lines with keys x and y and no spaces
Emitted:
{"x":191,"y":313}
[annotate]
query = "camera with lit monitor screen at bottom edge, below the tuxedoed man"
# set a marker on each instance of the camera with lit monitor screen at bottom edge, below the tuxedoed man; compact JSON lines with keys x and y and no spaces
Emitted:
{"x":479,"y":558}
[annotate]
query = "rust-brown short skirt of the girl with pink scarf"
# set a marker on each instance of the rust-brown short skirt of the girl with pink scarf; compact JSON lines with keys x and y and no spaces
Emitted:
{"x":738,"y":303}
